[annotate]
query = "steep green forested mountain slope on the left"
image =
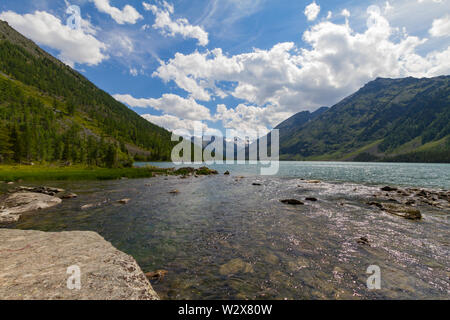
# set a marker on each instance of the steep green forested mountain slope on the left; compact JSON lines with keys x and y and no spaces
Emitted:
{"x":51,"y":113}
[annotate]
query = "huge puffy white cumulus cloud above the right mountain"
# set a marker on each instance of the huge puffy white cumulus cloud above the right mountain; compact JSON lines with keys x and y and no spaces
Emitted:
{"x":286,"y":79}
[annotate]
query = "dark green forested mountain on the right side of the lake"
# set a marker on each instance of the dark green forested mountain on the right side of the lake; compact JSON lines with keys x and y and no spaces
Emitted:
{"x":387,"y":120}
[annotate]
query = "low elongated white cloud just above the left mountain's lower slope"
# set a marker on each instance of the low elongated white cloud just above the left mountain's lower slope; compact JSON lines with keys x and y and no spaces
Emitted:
{"x":169,"y":104}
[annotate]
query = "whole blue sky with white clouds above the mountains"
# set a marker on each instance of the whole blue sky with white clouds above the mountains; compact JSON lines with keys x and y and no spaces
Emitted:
{"x":241,"y":65}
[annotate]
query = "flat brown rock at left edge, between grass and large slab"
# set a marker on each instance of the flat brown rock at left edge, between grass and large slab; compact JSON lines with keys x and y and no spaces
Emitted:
{"x":17,"y":203}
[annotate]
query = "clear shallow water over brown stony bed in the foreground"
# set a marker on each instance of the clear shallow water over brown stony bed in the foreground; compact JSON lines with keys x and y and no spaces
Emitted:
{"x":223,"y":238}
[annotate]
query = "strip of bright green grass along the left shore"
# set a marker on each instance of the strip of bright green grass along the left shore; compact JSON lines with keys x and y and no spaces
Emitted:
{"x":55,"y":173}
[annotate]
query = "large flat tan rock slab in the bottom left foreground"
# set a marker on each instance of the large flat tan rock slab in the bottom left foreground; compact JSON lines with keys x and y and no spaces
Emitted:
{"x":33,"y":265}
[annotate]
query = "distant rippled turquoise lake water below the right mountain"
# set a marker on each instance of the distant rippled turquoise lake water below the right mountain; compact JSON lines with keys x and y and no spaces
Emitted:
{"x":401,"y":174}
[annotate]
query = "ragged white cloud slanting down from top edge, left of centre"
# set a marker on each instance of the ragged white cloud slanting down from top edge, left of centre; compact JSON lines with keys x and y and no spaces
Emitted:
{"x":180,"y":26}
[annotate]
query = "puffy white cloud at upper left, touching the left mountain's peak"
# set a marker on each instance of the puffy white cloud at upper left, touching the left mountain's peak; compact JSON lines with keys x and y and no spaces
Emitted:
{"x":75,"y":46}
